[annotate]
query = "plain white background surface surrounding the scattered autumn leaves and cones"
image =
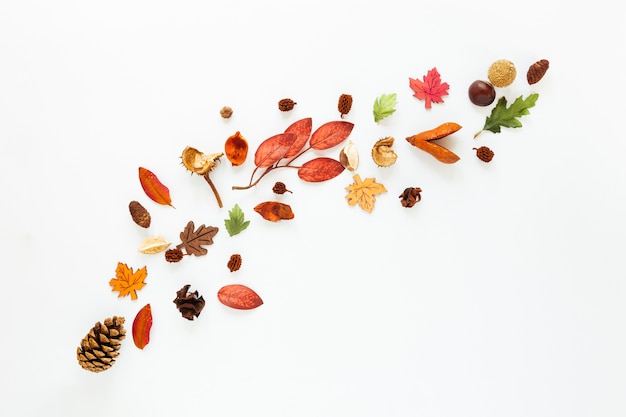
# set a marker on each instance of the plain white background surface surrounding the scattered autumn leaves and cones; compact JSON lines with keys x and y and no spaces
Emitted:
{"x":500,"y":294}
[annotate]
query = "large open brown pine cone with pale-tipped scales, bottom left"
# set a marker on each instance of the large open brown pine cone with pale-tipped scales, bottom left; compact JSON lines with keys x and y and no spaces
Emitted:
{"x":100,"y":347}
